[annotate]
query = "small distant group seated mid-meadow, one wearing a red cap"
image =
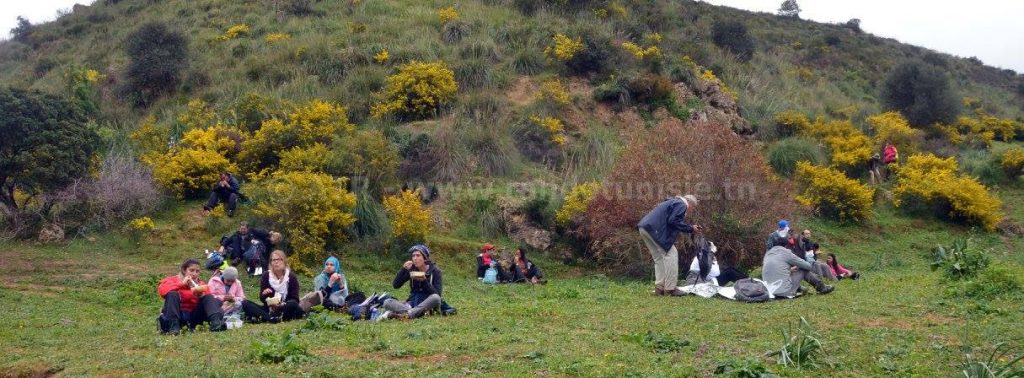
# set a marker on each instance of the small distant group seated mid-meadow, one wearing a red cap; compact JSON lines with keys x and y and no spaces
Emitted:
{"x":492,"y":269}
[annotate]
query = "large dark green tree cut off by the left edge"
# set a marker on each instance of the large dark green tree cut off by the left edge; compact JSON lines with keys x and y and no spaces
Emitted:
{"x":46,"y":146}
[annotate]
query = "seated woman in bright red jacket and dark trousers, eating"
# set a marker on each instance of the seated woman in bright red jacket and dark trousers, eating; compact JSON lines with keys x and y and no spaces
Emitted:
{"x":188,"y":302}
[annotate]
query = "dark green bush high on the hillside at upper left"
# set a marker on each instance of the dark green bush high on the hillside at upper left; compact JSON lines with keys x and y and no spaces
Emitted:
{"x":157,"y":58}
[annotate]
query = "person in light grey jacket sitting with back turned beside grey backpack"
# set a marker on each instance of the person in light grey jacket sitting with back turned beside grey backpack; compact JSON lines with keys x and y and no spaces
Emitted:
{"x":784,"y":271}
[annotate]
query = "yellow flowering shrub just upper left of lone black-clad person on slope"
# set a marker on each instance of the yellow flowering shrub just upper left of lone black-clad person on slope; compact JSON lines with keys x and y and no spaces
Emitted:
{"x":191,"y":173}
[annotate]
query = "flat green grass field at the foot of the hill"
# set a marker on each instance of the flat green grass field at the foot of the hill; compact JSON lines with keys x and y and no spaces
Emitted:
{"x":89,"y":308}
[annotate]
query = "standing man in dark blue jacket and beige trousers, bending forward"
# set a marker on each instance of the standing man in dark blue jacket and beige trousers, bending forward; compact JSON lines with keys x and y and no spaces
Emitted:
{"x":659,"y":230}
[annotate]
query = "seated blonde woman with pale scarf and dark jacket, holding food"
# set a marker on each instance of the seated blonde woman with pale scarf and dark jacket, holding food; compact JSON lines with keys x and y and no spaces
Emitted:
{"x":279,"y":292}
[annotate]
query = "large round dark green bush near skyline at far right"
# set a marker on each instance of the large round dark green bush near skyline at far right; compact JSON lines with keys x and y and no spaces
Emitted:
{"x":922,"y":94}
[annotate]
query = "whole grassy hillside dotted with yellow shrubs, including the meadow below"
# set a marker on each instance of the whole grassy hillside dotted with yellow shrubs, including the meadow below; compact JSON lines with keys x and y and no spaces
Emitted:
{"x":87,"y":306}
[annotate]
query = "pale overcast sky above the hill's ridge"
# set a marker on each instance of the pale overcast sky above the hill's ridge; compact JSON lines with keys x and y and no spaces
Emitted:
{"x":991,"y":30}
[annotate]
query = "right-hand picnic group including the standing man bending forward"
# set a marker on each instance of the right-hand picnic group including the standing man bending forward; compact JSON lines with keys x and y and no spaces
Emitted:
{"x":788,"y":261}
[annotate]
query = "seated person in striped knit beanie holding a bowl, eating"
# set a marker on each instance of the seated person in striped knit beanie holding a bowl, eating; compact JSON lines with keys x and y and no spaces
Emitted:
{"x":425,"y":286}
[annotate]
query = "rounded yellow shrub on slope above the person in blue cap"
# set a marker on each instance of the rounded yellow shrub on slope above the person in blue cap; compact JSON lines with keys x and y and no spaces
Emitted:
{"x":834,"y":195}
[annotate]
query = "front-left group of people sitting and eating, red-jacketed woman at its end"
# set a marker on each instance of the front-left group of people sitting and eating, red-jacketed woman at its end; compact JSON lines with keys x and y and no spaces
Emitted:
{"x":190,"y":302}
